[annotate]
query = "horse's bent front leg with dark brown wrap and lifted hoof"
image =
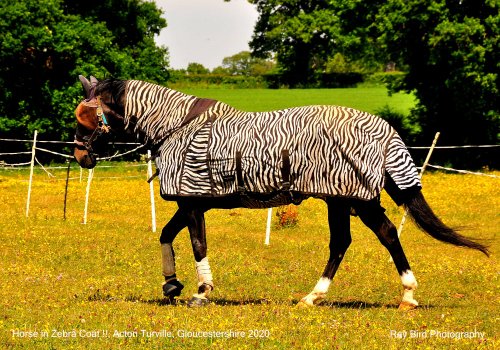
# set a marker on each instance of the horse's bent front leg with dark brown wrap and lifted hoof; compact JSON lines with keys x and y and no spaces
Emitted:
{"x":172,"y":287}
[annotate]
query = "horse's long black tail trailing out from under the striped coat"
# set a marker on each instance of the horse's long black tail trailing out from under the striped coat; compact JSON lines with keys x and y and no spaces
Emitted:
{"x":425,"y":219}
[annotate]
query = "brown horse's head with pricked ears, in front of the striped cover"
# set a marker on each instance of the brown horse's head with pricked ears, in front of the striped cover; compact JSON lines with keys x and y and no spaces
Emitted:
{"x":94,"y":121}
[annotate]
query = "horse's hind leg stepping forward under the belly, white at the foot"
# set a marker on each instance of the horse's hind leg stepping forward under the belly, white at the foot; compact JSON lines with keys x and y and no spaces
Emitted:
{"x":340,"y":239}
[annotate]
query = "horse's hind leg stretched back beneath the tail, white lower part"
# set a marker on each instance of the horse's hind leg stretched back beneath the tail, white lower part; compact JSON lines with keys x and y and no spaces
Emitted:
{"x":372,"y":215}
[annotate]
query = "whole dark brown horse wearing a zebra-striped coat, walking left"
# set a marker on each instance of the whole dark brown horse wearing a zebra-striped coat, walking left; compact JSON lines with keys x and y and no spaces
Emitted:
{"x":211,"y":155}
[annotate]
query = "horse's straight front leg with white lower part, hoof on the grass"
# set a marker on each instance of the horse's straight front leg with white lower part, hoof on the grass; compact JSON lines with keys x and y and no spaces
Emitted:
{"x":196,"y":226}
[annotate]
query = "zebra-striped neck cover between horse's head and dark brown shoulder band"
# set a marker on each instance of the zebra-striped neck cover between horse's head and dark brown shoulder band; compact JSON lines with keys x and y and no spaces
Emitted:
{"x":154,"y":110}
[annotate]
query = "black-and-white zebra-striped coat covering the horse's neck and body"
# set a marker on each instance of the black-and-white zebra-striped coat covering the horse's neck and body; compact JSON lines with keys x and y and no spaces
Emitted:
{"x":333,"y":151}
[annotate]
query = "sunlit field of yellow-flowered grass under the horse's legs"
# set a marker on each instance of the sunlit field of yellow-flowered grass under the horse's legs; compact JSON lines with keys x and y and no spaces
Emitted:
{"x":105,"y":276}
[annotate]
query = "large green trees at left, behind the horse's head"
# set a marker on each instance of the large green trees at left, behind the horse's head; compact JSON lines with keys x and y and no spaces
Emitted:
{"x":47,"y":43}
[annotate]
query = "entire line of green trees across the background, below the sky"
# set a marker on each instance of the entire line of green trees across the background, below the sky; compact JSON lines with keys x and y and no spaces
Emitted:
{"x":446,"y":49}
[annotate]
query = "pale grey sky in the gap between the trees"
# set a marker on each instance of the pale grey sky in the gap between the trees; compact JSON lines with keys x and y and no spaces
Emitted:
{"x":205,"y":31}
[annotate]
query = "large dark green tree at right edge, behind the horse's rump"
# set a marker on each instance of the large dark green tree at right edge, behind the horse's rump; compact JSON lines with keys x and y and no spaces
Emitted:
{"x":451,"y":51}
